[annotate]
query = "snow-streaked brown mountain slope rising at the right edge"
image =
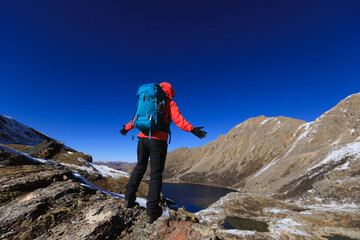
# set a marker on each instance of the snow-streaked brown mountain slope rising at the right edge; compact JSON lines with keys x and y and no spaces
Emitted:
{"x":325,"y":150}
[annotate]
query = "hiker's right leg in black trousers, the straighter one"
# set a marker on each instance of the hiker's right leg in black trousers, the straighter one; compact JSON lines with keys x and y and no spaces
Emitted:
{"x":158,"y":151}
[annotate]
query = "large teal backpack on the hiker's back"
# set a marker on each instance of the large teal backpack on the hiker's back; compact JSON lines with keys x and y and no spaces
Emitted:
{"x":149,"y":112}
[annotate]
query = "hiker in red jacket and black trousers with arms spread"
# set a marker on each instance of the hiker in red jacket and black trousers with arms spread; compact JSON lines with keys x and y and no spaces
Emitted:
{"x":154,"y":145}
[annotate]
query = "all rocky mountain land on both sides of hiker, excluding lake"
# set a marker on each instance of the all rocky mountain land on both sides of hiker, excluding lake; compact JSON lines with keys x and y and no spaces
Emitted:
{"x":294,"y":180}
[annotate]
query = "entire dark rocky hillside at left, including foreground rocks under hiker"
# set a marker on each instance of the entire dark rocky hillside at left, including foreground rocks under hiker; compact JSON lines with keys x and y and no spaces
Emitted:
{"x":50,"y":191}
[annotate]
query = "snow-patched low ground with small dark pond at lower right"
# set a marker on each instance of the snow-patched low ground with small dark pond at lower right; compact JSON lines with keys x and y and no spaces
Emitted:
{"x":259,"y":217}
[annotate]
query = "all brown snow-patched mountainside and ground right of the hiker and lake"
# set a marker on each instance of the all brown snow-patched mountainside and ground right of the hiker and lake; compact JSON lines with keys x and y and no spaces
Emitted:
{"x":304,"y":185}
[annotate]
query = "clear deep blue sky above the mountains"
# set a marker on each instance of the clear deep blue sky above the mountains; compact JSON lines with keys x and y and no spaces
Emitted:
{"x":71,"y":69}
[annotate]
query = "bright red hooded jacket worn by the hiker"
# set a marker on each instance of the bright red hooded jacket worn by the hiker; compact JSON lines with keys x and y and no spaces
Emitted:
{"x":172,"y":111}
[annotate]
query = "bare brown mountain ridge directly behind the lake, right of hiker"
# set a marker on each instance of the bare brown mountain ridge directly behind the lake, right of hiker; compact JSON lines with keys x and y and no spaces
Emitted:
{"x":233,"y":157}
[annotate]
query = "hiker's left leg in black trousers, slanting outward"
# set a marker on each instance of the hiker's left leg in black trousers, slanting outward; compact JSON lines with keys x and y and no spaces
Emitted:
{"x":143,"y":153}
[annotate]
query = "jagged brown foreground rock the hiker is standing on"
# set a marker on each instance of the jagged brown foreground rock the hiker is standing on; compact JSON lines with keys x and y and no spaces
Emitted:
{"x":42,"y":199}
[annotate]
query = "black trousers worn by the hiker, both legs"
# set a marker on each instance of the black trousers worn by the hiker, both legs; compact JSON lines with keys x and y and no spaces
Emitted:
{"x":156,"y":150}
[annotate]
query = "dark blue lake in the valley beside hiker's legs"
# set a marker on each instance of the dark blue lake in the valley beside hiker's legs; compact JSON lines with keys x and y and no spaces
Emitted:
{"x":193,"y":197}
